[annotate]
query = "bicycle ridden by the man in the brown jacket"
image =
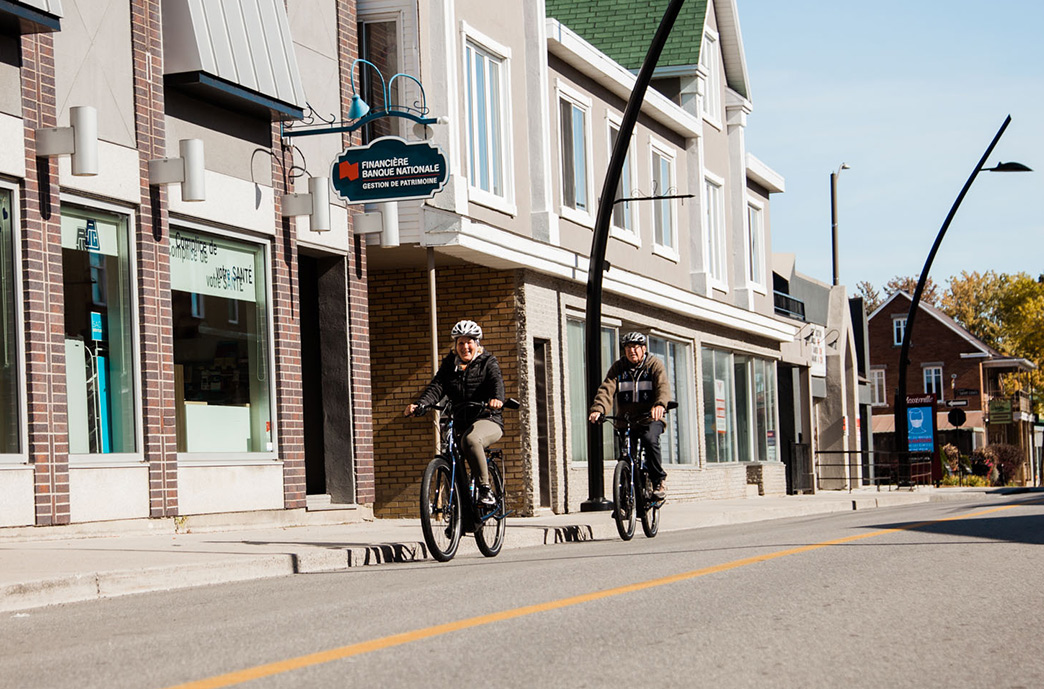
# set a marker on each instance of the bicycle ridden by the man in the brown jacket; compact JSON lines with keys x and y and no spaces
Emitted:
{"x":630,"y":496}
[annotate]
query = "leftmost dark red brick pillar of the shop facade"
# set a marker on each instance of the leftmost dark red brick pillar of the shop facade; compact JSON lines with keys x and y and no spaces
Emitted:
{"x":43,"y":295}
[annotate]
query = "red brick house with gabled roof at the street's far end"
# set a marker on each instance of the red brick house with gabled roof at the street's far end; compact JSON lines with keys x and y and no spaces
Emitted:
{"x":948,"y":361}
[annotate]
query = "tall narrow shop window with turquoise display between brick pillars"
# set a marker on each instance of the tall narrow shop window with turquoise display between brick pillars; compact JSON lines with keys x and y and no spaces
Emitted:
{"x":100,"y":337}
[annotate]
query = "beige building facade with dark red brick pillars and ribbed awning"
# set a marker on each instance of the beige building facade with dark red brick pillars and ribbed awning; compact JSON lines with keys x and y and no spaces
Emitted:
{"x":160,"y":371}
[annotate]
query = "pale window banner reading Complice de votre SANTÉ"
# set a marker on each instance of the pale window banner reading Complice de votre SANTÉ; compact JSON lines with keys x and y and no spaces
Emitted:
{"x":201,"y":266}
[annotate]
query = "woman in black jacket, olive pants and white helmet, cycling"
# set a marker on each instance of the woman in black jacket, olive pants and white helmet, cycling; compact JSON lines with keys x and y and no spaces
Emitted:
{"x":470,"y":374}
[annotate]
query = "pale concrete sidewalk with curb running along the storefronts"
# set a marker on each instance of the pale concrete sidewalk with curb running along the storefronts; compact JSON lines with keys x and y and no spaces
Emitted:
{"x":43,"y":566}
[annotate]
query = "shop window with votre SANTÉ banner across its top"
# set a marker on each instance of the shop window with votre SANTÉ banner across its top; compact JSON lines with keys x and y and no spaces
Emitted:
{"x":220,"y":300}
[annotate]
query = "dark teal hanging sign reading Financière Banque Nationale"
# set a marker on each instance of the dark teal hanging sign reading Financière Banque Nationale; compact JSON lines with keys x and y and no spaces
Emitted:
{"x":390,"y":170}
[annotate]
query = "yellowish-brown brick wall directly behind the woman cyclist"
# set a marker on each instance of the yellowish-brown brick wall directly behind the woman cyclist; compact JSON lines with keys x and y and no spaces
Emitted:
{"x":401,"y":366}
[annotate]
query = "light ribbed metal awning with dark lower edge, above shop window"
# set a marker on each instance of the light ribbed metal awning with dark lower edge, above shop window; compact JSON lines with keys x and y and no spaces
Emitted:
{"x":236,"y":53}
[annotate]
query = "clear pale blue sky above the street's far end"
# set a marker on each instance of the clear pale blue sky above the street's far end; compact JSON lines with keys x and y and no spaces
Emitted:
{"x":910,"y":93}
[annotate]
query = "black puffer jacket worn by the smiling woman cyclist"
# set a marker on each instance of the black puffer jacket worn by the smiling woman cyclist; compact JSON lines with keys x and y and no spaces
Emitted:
{"x":482,"y":382}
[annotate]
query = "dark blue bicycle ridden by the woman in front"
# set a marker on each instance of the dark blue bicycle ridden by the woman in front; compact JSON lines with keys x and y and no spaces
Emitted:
{"x":448,"y":500}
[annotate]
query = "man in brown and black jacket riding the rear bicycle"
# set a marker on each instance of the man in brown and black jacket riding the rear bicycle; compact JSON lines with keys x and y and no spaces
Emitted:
{"x":638,"y":382}
